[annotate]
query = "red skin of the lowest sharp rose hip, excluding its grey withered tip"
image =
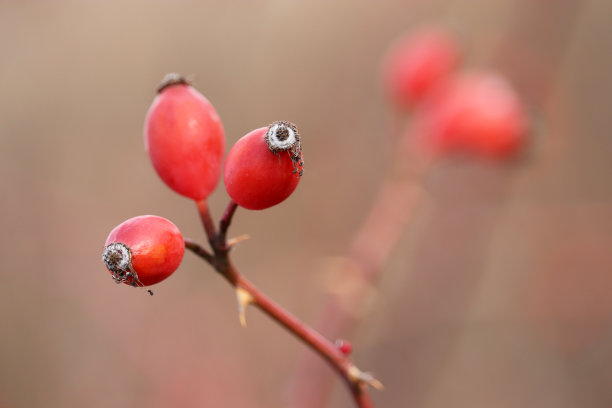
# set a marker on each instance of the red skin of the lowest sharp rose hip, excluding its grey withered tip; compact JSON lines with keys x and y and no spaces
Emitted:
{"x":156,"y":244}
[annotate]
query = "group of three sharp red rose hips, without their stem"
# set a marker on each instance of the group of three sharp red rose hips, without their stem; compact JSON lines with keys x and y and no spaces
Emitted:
{"x":185,"y":140}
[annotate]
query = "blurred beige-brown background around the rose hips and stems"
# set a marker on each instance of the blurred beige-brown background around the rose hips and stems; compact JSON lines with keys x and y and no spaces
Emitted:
{"x":498,"y":294}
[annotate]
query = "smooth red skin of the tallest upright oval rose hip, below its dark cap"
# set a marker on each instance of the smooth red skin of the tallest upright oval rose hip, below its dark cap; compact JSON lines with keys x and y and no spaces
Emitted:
{"x":185,"y":140}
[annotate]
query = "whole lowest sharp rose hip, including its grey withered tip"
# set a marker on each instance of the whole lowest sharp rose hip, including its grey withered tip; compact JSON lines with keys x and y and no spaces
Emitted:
{"x":143,"y":250}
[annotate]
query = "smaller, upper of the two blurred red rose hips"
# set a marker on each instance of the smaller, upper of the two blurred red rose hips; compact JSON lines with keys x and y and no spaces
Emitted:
{"x":418,"y":61}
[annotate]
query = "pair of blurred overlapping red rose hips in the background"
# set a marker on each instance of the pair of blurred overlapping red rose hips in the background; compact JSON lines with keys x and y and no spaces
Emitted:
{"x":477,"y":112}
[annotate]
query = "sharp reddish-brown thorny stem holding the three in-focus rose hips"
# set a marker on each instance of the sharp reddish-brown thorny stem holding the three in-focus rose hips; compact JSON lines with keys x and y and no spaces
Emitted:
{"x":356,"y":380}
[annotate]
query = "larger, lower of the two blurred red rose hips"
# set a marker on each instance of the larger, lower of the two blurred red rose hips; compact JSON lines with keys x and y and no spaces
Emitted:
{"x":477,"y":112}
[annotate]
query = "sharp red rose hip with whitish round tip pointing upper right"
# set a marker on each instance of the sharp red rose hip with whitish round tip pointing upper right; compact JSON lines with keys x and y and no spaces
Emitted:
{"x":264,"y":166}
